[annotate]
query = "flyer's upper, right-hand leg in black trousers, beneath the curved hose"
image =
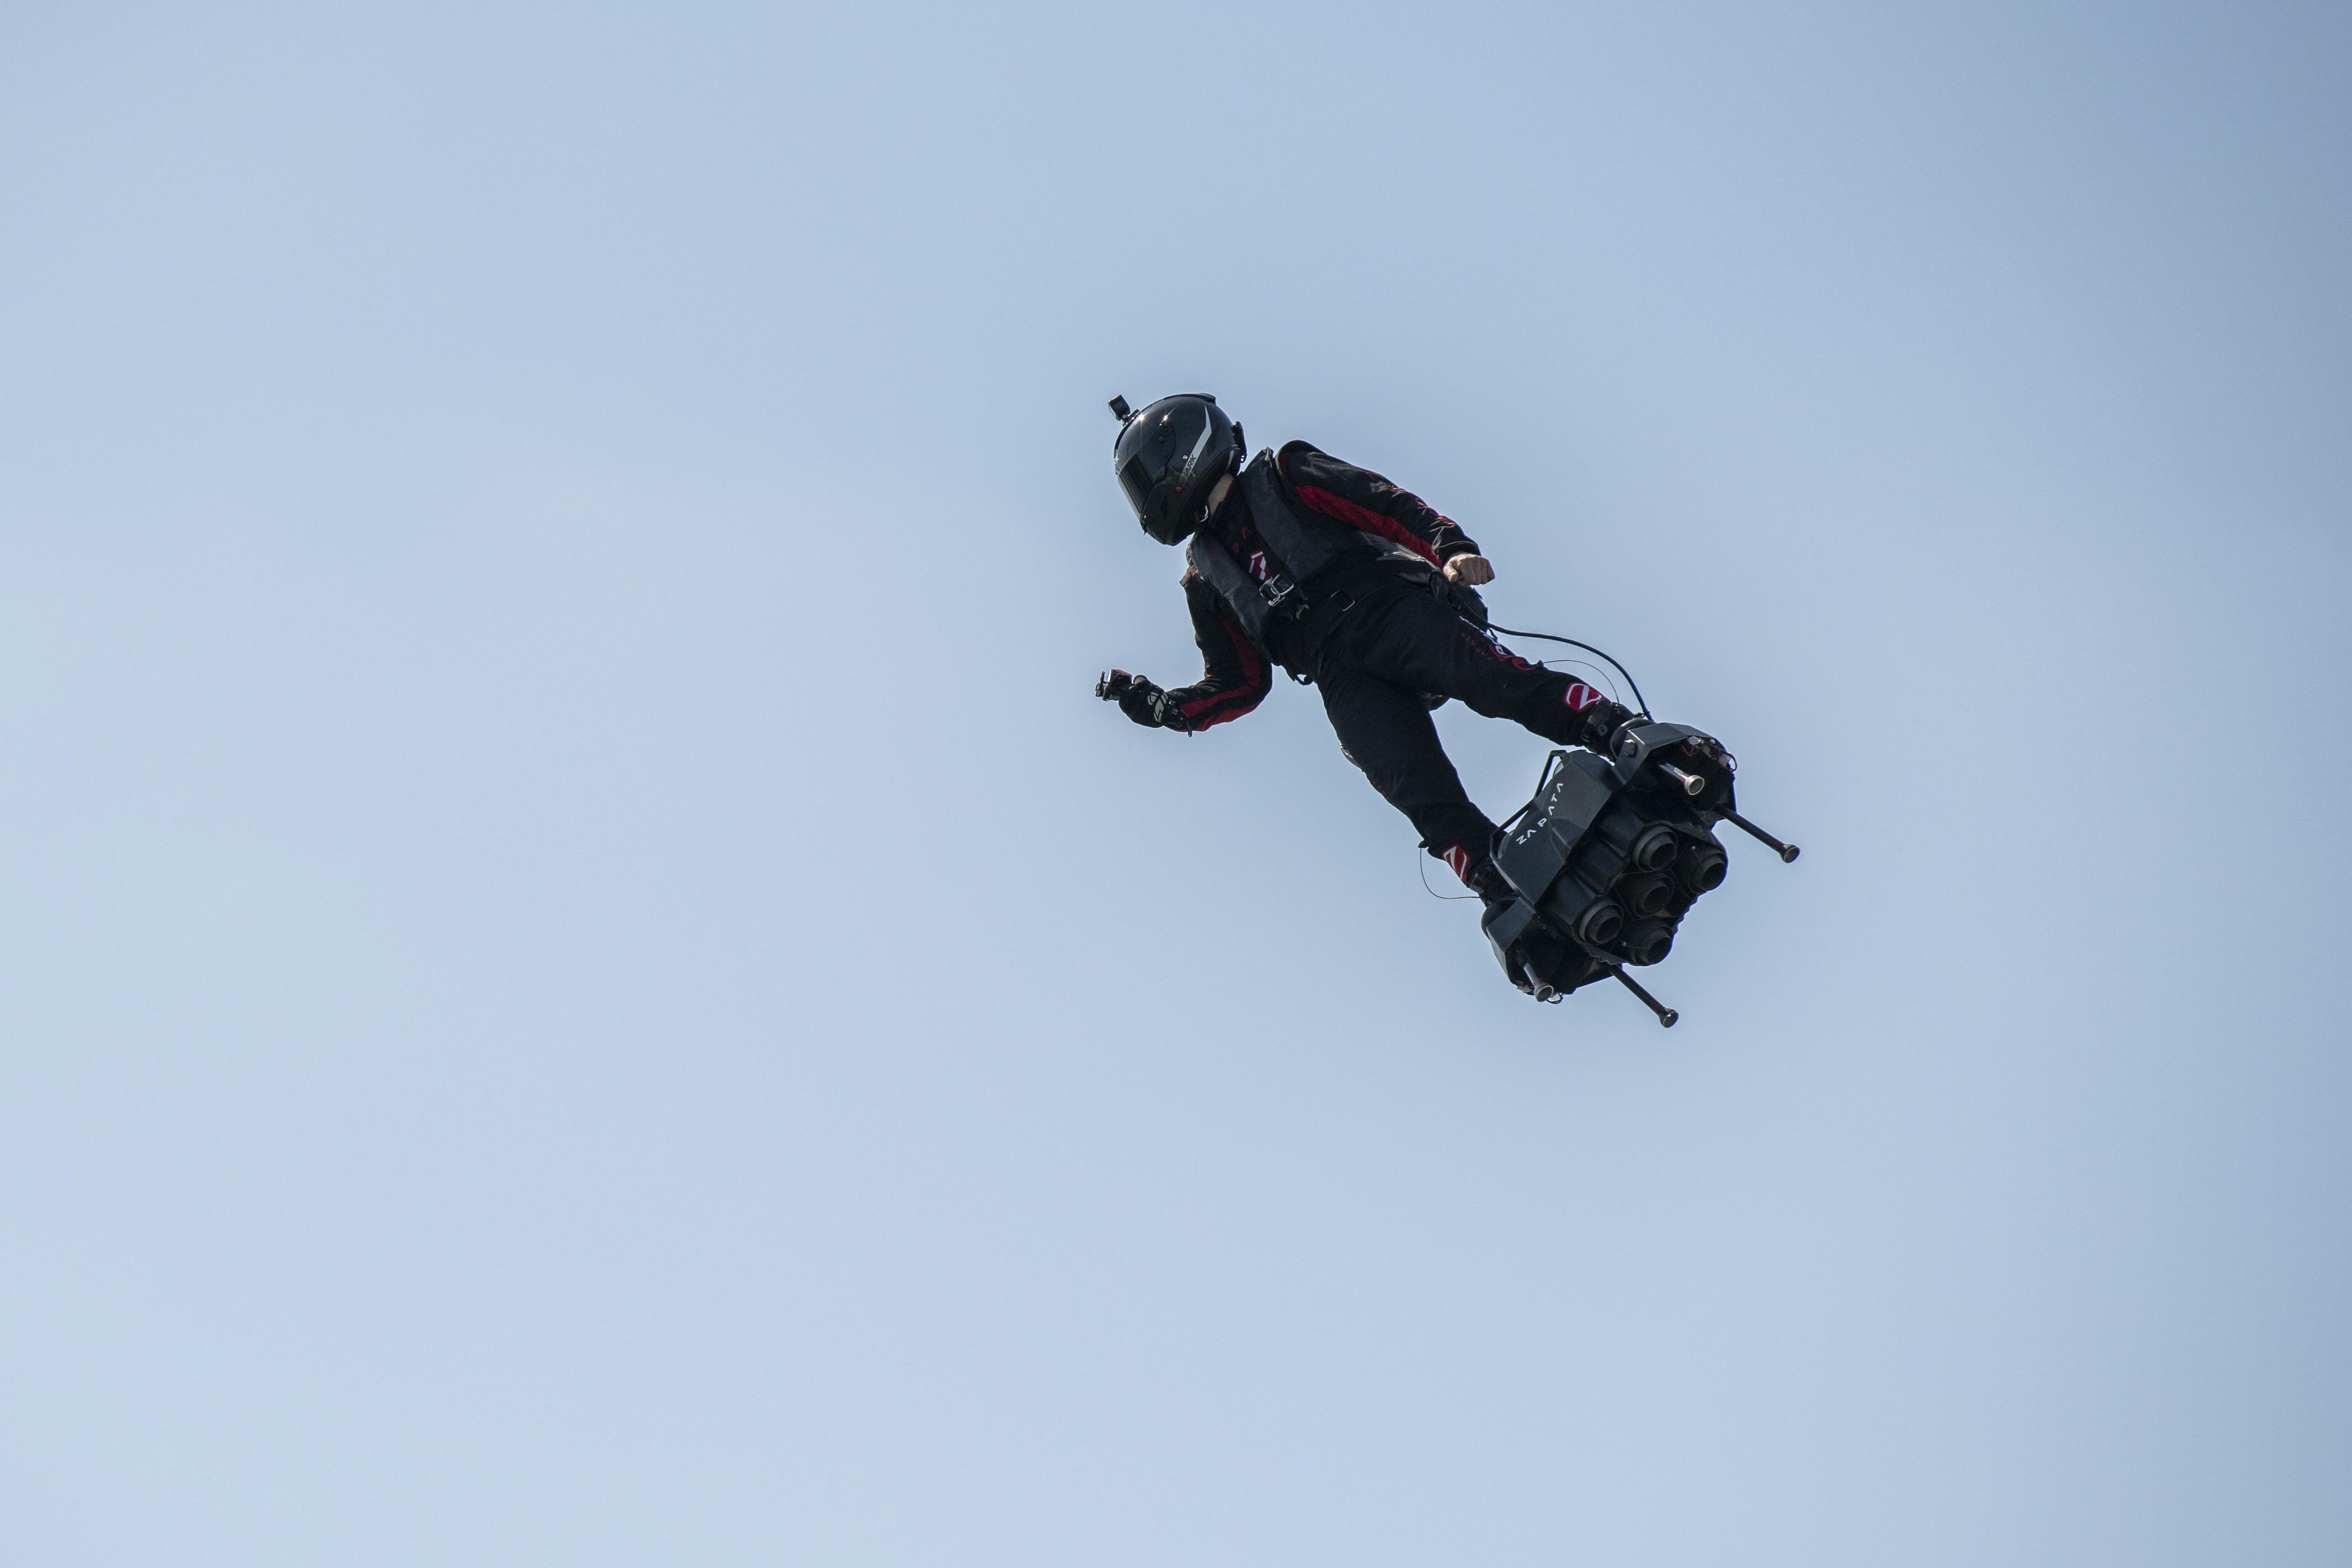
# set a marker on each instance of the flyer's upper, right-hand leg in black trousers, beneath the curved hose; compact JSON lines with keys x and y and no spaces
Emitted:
{"x":1422,"y":645}
